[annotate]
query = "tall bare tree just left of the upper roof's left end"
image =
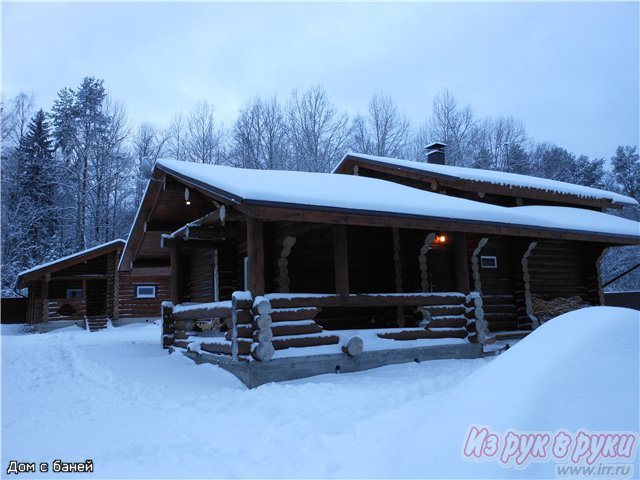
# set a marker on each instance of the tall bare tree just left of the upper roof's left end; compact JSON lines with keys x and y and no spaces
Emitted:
{"x":318,"y":133}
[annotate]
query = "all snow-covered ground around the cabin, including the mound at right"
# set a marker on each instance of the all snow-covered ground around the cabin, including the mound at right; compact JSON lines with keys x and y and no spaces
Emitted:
{"x":117,"y":398}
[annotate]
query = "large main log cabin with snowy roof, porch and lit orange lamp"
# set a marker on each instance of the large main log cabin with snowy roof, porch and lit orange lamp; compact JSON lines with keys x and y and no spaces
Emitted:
{"x":278,"y":275}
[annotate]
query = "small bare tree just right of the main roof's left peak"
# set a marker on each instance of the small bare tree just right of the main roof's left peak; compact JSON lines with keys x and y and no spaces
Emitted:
{"x":203,"y":137}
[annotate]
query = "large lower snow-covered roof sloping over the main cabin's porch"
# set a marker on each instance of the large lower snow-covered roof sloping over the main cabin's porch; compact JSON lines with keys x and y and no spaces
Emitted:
{"x":324,"y":191}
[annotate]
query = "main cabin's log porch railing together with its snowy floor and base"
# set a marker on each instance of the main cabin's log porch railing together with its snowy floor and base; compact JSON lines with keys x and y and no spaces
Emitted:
{"x":276,"y":337}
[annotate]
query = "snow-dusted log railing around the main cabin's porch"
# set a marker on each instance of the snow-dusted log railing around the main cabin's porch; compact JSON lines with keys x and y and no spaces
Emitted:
{"x":259,"y":326}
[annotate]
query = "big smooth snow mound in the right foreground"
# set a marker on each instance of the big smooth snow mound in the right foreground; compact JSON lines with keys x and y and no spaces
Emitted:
{"x":577,"y":371}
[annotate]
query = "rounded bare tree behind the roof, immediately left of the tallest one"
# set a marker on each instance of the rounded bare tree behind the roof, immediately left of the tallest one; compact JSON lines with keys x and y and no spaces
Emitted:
{"x":259,"y":137}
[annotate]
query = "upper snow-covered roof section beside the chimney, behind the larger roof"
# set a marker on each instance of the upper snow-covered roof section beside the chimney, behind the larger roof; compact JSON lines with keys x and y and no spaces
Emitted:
{"x":495,"y":178}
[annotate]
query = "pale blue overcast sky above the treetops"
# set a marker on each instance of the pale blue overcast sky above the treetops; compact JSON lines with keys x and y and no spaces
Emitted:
{"x":569,"y":71}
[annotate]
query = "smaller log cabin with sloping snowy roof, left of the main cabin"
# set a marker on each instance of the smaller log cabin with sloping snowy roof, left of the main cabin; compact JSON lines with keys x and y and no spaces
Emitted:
{"x":86,"y":289}
